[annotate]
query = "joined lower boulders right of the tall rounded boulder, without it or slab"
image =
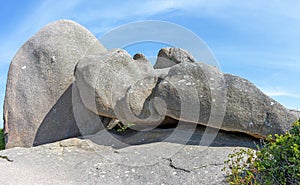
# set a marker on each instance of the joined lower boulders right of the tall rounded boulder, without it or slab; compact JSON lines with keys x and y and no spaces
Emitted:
{"x":131,"y":91}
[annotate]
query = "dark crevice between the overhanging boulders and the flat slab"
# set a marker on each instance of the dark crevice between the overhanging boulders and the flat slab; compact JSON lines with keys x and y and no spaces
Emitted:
{"x":163,"y":132}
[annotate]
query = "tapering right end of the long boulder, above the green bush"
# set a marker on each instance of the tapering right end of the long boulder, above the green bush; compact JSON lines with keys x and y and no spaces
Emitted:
{"x":250,"y":111}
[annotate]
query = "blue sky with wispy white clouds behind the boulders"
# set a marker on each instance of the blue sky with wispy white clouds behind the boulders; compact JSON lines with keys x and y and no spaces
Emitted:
{"x":257,"y":40}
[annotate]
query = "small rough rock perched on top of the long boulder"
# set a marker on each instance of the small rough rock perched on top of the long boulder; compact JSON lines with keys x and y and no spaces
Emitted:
{"x":168,"y":57}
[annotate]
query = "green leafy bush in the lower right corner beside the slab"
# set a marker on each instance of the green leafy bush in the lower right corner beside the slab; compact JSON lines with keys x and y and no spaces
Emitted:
{"x":277,"y":161}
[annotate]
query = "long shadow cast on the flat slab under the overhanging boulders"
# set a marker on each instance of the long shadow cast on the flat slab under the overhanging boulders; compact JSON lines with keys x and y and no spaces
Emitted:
{"x":183,"y":133}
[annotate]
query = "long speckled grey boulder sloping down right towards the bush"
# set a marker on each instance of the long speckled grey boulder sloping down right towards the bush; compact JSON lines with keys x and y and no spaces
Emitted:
{"x":196,"y":92}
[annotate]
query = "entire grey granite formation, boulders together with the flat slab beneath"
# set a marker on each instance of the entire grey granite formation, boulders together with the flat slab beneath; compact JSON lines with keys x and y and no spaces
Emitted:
{"x":63,"y":83}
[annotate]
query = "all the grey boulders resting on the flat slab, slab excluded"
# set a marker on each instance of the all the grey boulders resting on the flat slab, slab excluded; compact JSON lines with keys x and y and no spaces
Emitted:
{"x":43,"y":103}
